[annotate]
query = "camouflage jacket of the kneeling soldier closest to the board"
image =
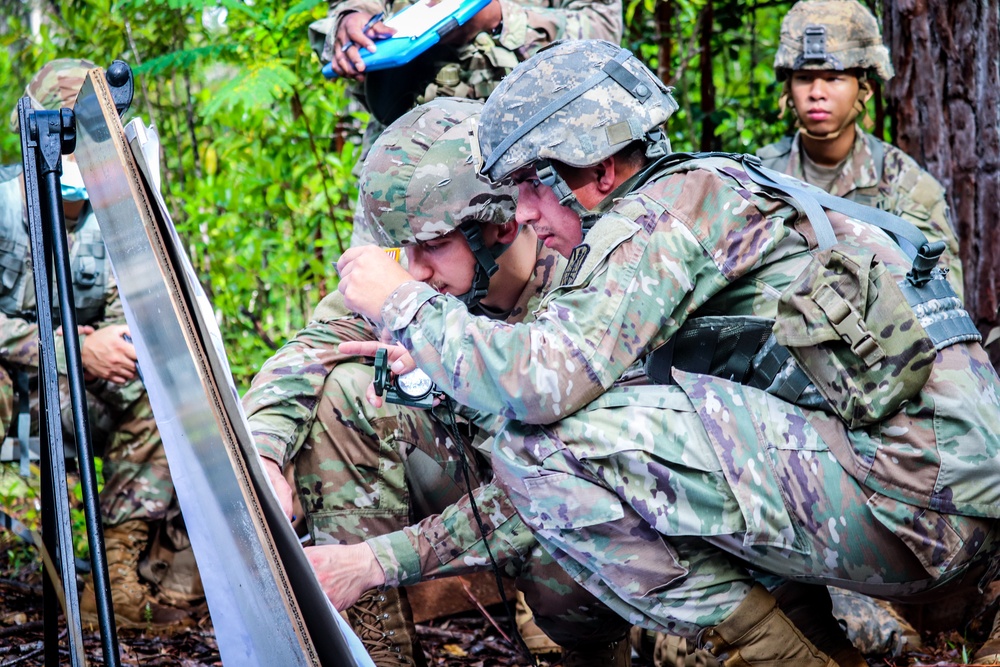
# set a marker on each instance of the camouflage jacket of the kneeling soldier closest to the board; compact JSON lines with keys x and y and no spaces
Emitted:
{"x":281,"y":405}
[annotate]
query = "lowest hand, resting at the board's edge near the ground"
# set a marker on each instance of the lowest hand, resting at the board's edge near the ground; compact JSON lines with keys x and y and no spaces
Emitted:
{"x":345,"y":572}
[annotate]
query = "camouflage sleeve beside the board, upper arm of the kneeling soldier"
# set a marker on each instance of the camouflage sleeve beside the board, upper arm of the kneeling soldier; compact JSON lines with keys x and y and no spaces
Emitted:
{"x":282,"y":400}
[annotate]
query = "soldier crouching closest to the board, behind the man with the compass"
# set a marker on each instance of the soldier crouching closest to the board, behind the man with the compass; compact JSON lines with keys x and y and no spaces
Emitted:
{"x":365,"y":474}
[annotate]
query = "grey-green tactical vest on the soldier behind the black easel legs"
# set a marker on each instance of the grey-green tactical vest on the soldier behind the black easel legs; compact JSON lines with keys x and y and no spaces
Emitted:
{"x":88,"y":265}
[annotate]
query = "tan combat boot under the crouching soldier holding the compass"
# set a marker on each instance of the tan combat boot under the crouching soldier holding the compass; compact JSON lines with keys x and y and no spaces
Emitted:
{"x":759,"y":633}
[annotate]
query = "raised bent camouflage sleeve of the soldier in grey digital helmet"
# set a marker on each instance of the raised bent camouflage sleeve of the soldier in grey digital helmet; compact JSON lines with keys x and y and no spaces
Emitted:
{"x":586,"y":335}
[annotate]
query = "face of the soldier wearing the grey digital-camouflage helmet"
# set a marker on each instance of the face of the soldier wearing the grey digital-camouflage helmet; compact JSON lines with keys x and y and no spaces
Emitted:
{"x":557,"y":226}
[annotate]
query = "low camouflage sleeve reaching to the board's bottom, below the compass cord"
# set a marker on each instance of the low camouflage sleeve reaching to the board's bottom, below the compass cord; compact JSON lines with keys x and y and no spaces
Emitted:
{"x":450,"y":543}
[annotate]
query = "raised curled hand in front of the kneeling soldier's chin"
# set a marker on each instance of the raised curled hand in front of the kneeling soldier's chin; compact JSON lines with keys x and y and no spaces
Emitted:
{"x":367,"y":277}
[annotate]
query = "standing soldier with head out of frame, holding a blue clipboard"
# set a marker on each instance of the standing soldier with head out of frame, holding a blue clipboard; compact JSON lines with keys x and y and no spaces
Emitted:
{"x":481,"y":52}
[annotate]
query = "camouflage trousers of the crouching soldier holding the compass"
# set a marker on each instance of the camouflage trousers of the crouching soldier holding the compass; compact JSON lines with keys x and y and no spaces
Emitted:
{"x":669,"y":524}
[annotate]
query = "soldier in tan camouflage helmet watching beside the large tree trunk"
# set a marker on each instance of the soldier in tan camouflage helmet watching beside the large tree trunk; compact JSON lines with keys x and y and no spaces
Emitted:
{"x":829,"y":53}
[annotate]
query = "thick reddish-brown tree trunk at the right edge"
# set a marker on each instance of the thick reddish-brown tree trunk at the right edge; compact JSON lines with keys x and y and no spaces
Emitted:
{"x":947,"y":103}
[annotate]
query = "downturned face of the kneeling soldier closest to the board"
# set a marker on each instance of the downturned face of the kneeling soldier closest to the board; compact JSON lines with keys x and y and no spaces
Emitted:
{"x":446,"y":263}
